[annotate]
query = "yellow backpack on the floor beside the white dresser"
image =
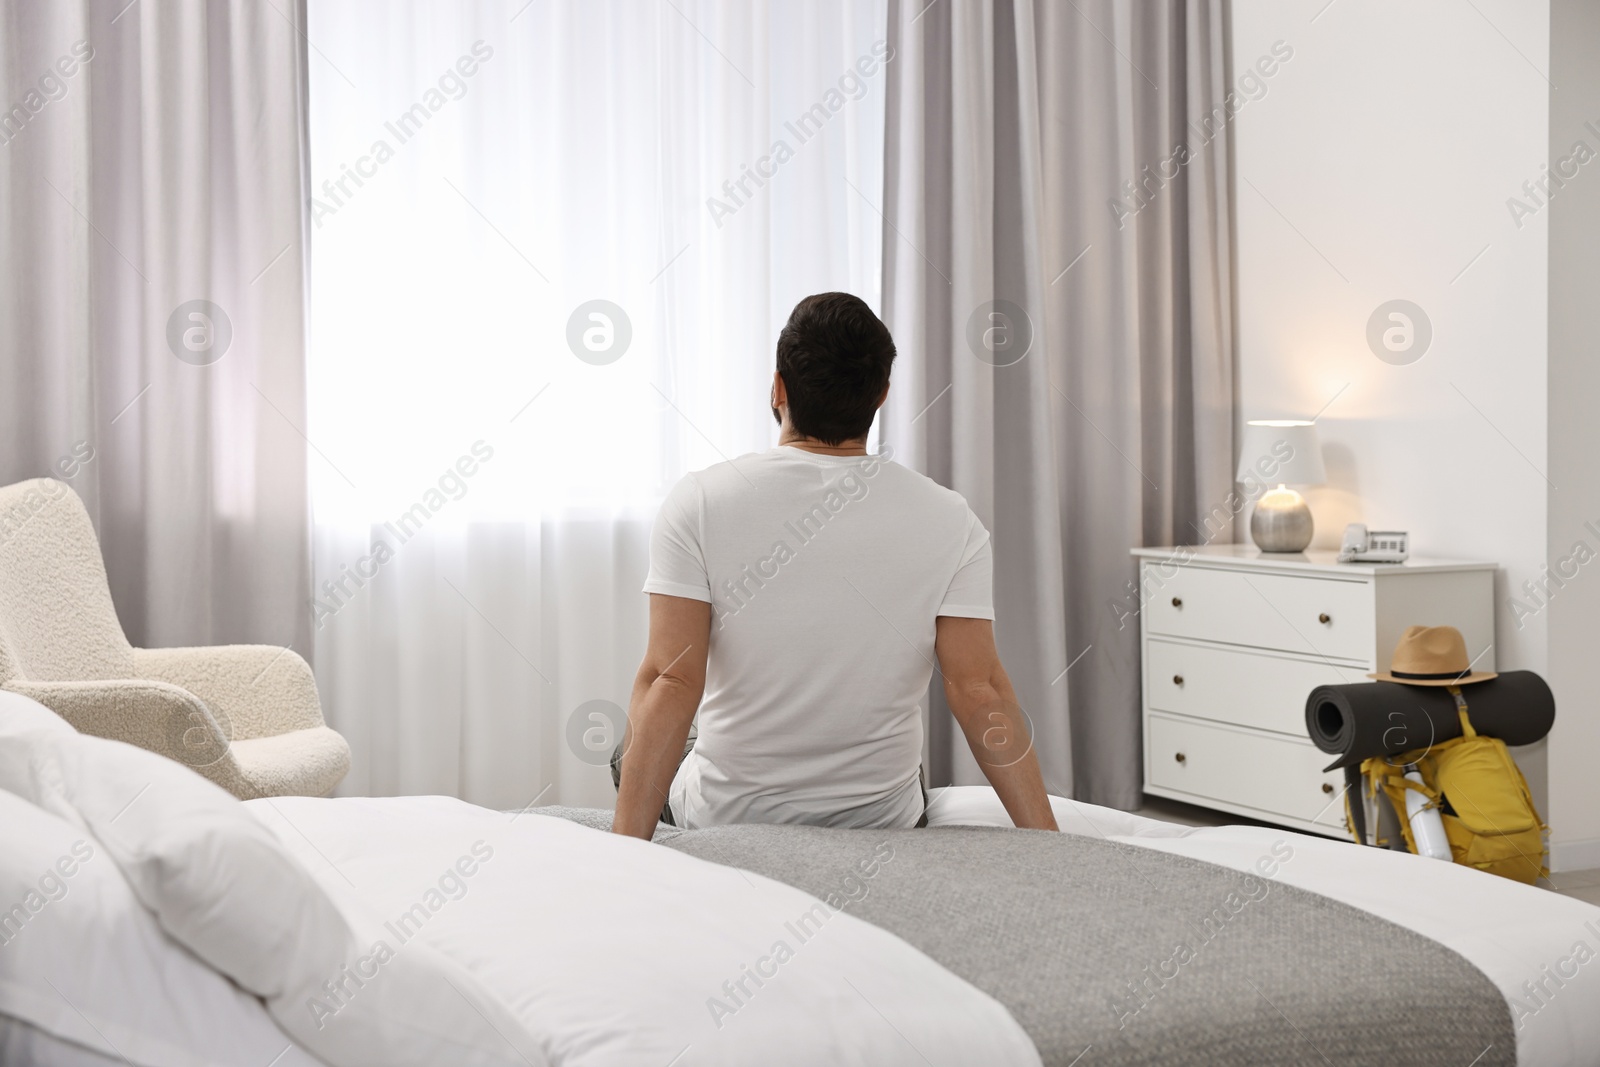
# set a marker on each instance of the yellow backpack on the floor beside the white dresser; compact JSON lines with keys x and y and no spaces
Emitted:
{"x":1481,"y":794}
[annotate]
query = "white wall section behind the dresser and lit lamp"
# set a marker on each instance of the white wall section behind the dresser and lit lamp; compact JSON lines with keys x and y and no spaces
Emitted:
{"x":1378,"y":166}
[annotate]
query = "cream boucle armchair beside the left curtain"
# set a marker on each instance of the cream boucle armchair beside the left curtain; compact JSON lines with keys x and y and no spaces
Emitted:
{"x":244,"y":716}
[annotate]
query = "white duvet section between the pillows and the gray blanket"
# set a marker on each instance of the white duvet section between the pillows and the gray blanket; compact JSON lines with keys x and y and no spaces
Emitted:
{"x":618,"y":953}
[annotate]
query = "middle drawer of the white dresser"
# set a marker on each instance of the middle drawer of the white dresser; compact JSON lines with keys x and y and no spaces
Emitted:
{"x":1230,"y":685}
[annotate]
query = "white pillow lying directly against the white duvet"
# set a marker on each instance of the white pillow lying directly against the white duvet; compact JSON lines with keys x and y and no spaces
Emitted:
{"x":225,"y":887}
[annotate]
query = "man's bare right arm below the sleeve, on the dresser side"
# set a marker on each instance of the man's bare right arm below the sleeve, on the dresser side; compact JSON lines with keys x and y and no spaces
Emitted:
{"x":982,"y":698}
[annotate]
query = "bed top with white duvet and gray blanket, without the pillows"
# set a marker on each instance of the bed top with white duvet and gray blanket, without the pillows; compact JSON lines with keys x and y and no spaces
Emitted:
{"x":969,"y":943}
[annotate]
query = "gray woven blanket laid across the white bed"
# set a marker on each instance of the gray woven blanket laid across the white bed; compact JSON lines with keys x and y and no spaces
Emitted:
{"x":1113,"y":954}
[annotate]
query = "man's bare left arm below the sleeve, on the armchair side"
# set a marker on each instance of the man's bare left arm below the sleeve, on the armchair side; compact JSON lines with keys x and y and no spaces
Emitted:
{"x":666,"y":695}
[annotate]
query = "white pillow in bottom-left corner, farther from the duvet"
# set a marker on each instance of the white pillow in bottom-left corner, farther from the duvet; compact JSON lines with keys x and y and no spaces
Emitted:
{"x":82,"y":961}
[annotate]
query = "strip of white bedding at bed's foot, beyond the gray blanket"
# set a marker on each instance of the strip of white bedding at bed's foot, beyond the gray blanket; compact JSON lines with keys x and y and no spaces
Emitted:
{"x":1516,"y":935}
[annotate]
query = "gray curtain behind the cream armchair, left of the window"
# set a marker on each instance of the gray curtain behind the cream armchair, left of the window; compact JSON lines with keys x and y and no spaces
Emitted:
{"x":153,"y":300}
